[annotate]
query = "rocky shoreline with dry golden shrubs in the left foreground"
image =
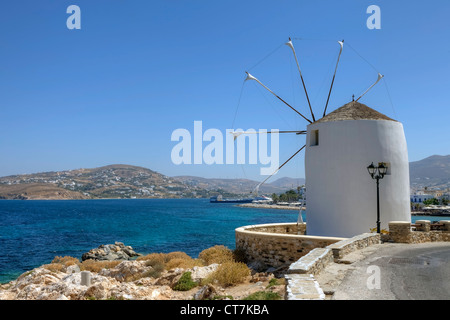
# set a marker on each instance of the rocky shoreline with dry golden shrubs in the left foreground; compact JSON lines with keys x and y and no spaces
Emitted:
{"x":116,"y":272}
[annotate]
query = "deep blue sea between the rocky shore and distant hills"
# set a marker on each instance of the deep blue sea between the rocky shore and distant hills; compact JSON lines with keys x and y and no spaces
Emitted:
{"x":32,"y":233}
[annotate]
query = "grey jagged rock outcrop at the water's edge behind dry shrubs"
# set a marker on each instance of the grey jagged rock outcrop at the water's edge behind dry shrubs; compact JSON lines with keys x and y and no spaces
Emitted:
{"x":111,"y":252}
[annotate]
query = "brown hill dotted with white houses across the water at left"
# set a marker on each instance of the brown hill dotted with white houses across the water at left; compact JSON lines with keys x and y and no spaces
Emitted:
{"x":113,"y":181}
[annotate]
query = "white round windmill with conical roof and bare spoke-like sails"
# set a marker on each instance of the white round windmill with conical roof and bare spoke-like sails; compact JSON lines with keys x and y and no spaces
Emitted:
{"x":339,"y":147}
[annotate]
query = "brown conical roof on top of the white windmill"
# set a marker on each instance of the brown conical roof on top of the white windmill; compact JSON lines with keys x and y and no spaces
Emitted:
{"x":354,"y":111}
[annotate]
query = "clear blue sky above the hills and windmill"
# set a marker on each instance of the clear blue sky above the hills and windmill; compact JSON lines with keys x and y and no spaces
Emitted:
{"x":114,"y":91}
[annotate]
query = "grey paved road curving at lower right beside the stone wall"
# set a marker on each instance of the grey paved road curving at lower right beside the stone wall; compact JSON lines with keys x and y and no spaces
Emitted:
{"x":391,"y":272}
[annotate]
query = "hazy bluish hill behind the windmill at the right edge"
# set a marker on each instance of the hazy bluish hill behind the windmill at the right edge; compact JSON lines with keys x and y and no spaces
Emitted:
{"x":431,"y":171}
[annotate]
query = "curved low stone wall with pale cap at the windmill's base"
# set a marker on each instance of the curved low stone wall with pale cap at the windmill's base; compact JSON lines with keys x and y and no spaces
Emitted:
{"x":270,"y":244}
